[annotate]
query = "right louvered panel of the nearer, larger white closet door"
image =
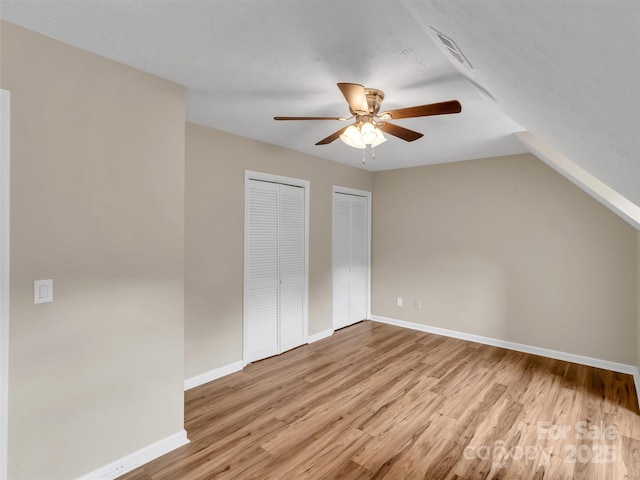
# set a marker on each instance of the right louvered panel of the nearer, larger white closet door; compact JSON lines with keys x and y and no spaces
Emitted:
{"x":292,"y":267}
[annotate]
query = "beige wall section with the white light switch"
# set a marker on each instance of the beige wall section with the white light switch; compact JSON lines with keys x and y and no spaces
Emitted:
{"x":97,"y":204}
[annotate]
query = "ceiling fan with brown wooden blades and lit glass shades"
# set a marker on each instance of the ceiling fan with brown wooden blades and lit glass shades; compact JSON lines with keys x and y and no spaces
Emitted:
{"x":364,"y":105}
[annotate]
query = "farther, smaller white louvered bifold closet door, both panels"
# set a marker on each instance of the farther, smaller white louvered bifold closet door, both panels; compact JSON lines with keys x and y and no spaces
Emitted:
{"x":350,"y":259}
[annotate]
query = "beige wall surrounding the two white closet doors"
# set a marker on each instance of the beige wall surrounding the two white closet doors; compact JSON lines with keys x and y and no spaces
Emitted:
{"x":216,"y":163}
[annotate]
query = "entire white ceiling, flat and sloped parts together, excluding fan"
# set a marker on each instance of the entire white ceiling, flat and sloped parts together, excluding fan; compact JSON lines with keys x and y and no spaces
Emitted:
{"x":566,"y":70}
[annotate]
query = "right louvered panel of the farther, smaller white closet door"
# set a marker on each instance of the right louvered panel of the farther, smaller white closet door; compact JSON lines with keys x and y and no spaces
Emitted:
{"x":359,"y":255}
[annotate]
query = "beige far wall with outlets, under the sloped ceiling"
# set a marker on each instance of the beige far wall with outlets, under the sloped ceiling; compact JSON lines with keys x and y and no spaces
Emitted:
{"x":505,"y":248}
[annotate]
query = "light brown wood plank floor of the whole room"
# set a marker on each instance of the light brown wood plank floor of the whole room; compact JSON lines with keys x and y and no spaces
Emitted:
{"x":378,"y":401}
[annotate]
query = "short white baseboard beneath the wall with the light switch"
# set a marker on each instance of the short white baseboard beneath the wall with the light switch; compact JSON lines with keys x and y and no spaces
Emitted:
{"x":138,"y":458}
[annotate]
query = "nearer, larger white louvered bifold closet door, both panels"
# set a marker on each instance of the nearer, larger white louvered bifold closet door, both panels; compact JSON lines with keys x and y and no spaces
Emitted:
{"x":275,"y":283}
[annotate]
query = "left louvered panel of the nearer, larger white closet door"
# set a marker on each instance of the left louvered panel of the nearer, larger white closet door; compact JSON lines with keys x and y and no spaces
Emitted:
{"x":262,"y":301}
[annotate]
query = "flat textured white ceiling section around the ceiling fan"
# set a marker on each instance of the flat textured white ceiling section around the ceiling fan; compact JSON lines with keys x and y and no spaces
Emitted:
{"x":244,"y":62}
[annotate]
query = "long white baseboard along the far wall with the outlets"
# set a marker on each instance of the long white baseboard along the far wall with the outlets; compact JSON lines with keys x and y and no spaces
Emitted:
{"x":519,"y":347}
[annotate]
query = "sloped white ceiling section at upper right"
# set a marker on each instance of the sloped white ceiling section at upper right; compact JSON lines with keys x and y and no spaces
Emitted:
{"x":567,"y":71}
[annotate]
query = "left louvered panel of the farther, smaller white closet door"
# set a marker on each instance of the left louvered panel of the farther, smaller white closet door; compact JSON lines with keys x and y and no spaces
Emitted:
{"x":341,"y":259}
